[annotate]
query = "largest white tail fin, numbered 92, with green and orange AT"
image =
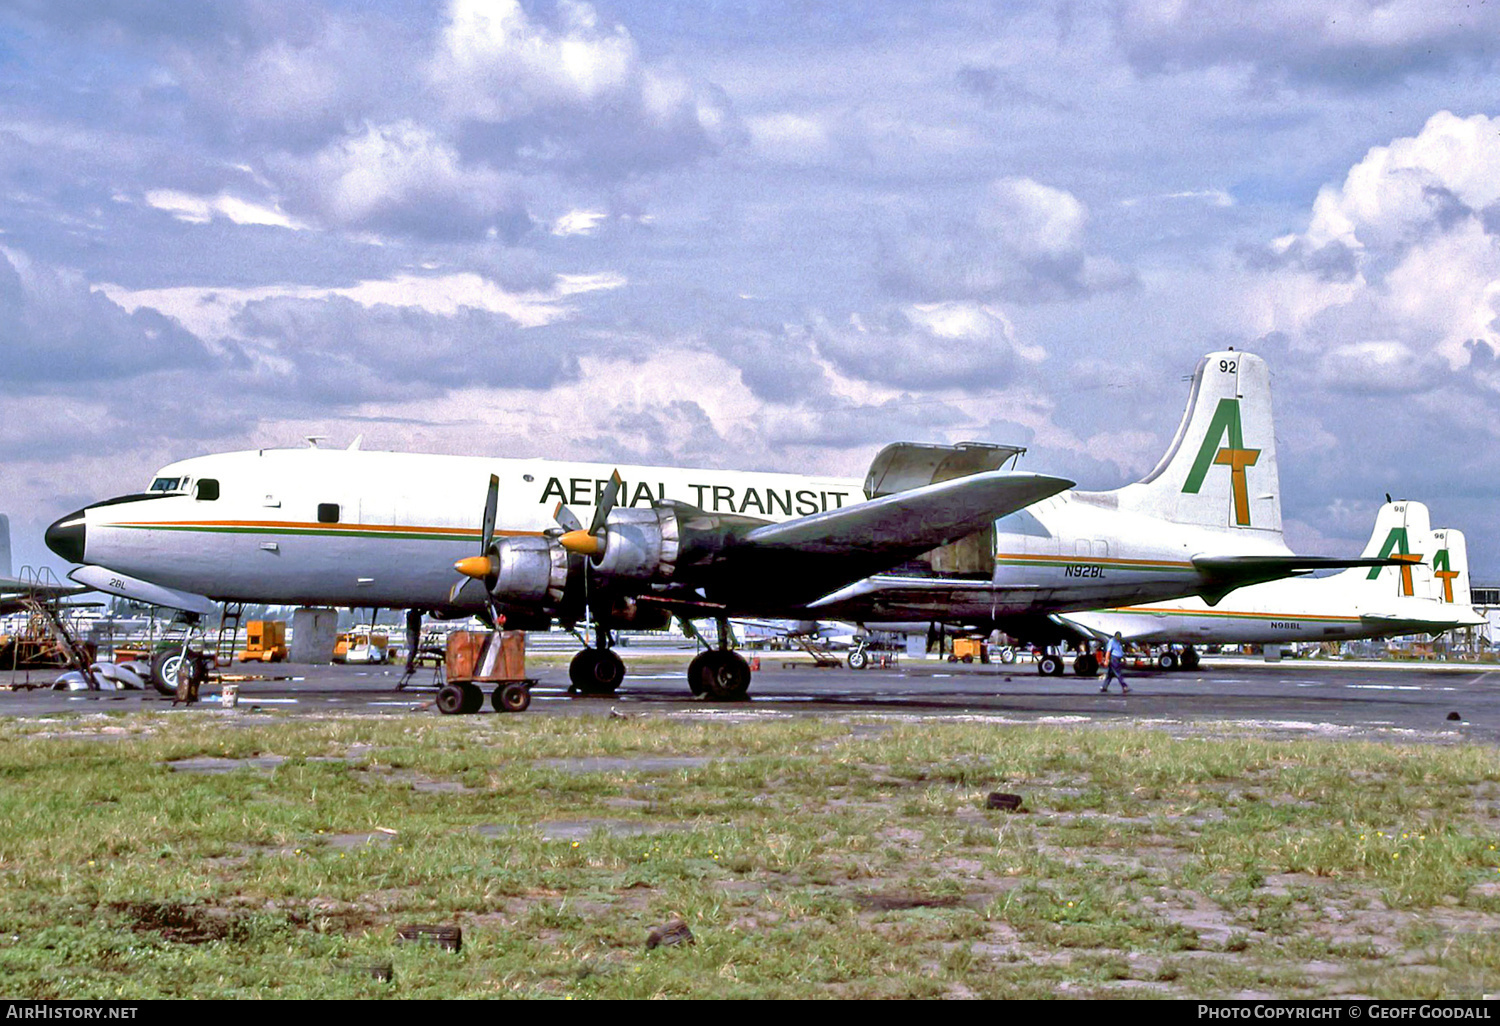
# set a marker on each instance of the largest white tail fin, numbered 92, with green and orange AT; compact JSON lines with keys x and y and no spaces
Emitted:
{"x":1222,"y":466}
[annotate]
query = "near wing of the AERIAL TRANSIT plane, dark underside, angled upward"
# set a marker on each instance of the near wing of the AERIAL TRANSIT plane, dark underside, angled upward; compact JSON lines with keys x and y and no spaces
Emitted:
{"x":809,"y":557}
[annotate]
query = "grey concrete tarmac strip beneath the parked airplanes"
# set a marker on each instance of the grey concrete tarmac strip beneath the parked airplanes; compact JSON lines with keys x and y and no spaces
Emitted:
{"x":1294,"y":698}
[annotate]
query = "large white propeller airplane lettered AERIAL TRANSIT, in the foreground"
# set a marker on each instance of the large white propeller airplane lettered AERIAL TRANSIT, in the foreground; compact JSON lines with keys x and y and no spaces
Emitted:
{"x":355,"y":529}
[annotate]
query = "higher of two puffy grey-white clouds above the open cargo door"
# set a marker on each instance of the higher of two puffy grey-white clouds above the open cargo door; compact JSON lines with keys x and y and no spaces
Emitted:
{"x":1022,"y":242}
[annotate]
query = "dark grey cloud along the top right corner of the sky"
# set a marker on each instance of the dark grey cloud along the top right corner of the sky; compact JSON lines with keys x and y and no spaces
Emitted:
{"x":1345,"y":41}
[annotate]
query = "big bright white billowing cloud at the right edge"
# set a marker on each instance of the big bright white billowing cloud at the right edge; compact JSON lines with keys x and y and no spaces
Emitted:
{"x":1403,"y":254}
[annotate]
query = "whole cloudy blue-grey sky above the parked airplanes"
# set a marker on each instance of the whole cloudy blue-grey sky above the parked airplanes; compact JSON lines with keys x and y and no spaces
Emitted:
{"x":752,"y":235}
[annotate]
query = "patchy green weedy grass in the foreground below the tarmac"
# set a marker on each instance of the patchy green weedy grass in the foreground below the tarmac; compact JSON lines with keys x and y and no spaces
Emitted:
{"x":241,"y":854}
